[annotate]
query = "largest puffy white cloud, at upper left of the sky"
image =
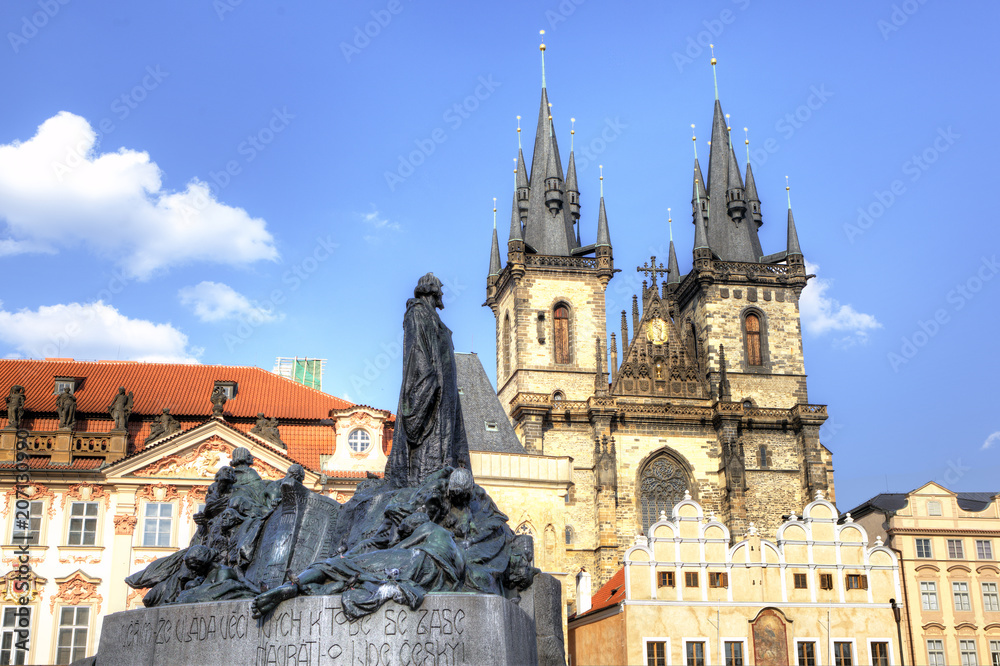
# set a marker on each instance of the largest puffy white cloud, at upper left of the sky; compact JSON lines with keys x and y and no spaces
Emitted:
{"x":56,"y":191}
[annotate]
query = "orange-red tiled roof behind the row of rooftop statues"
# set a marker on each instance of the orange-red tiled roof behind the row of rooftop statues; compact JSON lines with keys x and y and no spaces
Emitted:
{"x":185,"y":389}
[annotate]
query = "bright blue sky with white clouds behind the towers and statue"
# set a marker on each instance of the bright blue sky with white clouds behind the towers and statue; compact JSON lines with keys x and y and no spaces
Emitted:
{"x":228,"y":182}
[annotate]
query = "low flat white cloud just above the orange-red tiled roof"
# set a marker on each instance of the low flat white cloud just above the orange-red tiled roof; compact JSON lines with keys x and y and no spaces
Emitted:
{"x":92,"y":331}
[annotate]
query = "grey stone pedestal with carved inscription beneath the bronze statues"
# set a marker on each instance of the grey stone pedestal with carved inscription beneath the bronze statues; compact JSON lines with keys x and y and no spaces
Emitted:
{"x":448,"y":629}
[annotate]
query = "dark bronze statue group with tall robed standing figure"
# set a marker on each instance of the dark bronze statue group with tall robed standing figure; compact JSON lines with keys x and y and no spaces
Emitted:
{"x":426,"y":527}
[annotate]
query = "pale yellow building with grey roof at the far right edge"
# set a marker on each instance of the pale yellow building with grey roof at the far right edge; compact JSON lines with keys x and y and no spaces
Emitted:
{"x":946,"y":544}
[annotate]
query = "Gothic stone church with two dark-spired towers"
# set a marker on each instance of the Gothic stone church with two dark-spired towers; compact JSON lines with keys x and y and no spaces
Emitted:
{"x":700,"y":389}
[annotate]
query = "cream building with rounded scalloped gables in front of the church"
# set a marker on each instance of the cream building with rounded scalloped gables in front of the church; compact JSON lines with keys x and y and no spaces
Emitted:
{"x":690,"y":594}
